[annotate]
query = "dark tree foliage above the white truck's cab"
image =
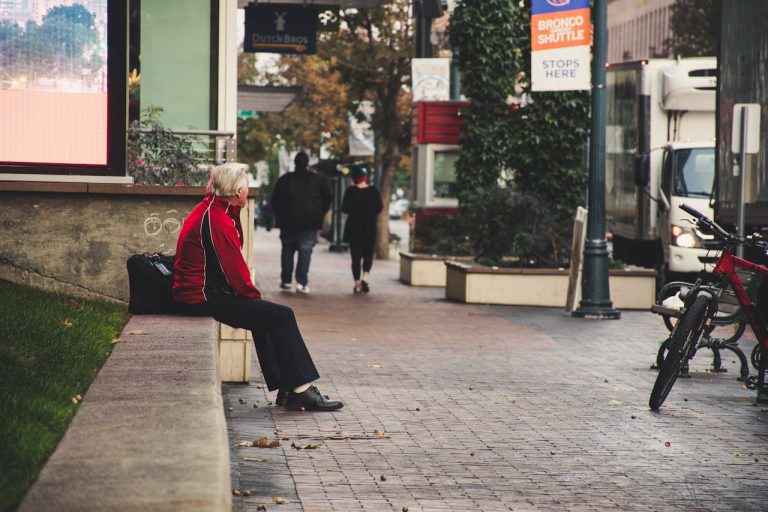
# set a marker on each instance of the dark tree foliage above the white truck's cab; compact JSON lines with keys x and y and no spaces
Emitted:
{"x":695,"y":28}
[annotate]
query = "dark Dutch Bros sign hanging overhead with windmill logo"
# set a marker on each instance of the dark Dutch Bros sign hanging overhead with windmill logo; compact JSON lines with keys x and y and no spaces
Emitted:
{"x":280,"y":28}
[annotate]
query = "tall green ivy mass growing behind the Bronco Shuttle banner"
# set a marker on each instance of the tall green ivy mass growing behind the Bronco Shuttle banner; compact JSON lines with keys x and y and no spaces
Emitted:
{"x":540,"y":147}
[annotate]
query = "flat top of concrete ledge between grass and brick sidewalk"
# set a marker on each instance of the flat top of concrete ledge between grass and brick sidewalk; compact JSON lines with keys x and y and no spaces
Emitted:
{"x":150,"y":433}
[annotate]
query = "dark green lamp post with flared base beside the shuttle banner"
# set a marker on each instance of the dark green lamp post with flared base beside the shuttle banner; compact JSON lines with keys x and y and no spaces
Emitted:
{"x":596,"y":299}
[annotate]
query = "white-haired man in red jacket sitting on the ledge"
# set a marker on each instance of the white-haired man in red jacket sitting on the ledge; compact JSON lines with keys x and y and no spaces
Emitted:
{"x":211,"y":278}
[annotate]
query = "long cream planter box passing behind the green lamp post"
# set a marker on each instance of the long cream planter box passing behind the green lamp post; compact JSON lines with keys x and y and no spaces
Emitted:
{"x":471,"y":283}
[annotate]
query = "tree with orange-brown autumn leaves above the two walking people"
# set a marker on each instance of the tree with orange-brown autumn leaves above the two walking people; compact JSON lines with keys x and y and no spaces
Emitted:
{"x":367,"y":58}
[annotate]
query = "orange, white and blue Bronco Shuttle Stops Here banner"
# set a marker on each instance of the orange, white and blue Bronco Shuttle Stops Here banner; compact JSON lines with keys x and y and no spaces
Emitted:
{"x":560,"y":44}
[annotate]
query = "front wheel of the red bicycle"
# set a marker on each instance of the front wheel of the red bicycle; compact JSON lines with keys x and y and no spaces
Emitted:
{"x":683,"y":340}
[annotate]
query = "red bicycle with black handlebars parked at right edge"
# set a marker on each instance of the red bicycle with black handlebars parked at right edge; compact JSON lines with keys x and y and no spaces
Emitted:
{"x":701,"y":307}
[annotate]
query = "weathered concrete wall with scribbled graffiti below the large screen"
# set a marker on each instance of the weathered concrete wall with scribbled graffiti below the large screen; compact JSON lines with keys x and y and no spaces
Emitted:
{"x":76,"y":238}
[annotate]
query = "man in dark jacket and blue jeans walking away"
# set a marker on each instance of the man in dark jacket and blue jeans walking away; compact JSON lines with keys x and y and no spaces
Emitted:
{"x":299,"y":202}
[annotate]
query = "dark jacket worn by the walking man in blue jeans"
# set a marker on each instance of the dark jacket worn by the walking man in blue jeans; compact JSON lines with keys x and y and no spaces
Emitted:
{"x":300,"y":200}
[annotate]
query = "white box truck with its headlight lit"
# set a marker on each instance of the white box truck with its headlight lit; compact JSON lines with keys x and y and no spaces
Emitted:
{"x":660,"y":152}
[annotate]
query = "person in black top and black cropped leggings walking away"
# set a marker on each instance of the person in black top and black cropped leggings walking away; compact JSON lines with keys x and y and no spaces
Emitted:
{"x":362,"y":204}
